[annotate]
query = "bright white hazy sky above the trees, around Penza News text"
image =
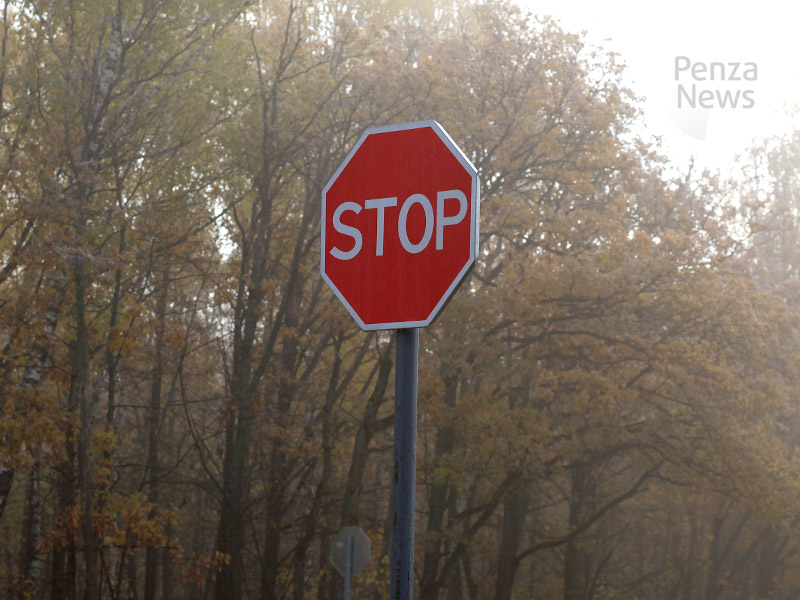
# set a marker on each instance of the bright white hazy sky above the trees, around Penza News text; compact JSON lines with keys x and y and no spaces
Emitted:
{"x":759,"y":35}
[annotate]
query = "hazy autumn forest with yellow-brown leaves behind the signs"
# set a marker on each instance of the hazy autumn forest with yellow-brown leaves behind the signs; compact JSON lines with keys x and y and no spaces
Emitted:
{"x":608,"y":407}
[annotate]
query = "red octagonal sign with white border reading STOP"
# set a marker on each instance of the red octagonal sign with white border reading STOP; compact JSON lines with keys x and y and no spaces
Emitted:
{"x":399,"y":225}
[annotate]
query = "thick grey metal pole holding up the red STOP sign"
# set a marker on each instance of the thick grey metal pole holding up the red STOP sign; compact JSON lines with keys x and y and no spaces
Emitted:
{"x":405,"y":467}
